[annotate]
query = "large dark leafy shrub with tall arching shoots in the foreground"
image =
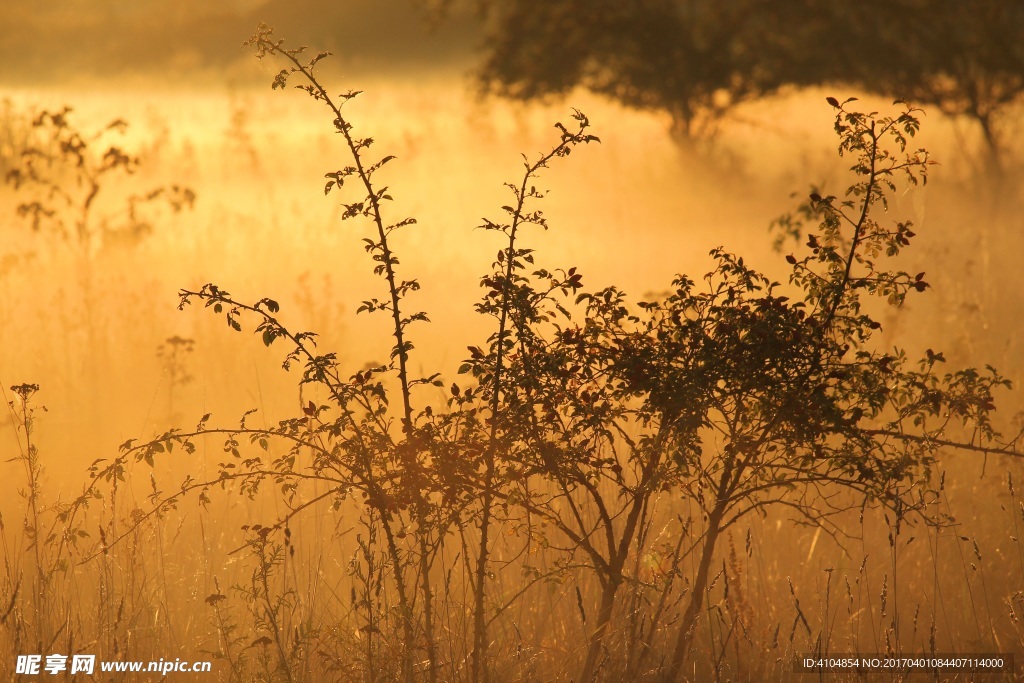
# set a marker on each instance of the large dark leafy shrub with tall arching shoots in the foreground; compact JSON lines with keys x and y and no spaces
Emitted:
{"x":580,"y":415}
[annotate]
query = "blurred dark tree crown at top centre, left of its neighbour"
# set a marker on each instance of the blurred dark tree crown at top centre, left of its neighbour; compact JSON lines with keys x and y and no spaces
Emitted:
{"x":695,"y":60}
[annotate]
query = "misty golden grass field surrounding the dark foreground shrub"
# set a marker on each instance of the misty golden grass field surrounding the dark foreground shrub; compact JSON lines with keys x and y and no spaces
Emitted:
{"x":94,"y":327}
